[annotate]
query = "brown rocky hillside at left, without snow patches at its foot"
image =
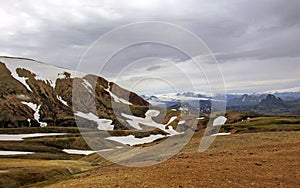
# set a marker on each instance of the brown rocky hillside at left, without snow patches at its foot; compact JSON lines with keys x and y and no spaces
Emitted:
{"x":36,"y":94}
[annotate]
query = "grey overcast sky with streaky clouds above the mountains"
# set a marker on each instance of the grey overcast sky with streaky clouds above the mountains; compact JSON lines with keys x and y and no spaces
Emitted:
{"x":256,"y":43}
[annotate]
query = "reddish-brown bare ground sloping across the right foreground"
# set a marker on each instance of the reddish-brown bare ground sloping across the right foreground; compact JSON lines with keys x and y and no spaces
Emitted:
{"x":264,"y":159}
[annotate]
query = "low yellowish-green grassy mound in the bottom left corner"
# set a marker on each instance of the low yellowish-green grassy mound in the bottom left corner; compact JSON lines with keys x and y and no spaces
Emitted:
{"x":20,"y":172}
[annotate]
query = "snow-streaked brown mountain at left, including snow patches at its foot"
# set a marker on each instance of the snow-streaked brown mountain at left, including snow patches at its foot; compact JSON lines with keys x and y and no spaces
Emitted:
{"x":34,"y":94}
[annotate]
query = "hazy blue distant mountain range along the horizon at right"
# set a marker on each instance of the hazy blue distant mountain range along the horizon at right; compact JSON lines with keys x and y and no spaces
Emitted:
{"x":286,"y":103}
